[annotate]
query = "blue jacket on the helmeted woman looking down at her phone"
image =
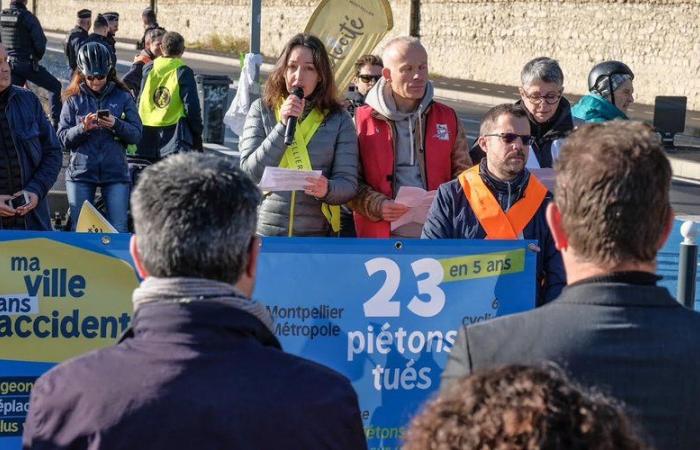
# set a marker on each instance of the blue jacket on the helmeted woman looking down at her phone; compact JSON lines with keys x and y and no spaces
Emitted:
{"x":99,"y":156}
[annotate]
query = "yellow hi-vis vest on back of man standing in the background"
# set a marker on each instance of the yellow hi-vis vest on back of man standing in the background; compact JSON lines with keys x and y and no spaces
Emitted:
{"x":160,"y":104}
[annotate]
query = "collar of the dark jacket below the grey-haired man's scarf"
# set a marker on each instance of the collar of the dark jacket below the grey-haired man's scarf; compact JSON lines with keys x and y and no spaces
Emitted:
{"x":197,"y":322}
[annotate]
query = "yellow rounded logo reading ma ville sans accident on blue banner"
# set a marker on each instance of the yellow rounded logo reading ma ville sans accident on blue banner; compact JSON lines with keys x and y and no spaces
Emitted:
{"x":58,"y":301}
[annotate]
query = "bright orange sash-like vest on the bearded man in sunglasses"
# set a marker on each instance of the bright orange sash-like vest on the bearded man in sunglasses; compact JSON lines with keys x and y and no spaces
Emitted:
{"x":497,"y":223}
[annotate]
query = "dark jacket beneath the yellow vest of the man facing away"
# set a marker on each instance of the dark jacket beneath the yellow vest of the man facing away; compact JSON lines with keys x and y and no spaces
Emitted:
{"x":185,"y":135}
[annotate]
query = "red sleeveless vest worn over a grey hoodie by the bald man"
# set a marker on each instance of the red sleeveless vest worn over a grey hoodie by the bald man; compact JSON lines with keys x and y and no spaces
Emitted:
{"x":377,"y":154}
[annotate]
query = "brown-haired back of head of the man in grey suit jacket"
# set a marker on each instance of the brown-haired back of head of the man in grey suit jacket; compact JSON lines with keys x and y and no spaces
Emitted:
{"x":612,"y":190}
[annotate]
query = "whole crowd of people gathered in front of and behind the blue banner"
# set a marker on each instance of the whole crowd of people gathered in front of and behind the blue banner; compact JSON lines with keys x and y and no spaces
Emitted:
{"x":200,"y":348}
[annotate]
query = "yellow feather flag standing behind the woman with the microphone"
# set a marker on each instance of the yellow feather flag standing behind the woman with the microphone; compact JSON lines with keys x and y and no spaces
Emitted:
{"x":349,"y":29}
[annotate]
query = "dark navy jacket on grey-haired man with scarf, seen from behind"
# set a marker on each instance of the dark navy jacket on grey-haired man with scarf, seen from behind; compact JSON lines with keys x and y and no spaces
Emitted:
{"x":198,"y":375}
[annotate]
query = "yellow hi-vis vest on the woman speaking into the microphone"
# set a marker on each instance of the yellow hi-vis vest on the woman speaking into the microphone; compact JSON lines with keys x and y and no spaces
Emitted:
{"x":296,"y":156}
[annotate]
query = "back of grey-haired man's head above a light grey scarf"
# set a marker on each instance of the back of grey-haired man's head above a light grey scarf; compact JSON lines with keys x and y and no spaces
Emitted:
{"x":195,"y":216}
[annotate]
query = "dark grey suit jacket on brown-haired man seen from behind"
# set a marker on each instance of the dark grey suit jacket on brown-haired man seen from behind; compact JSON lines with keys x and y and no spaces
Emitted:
{"x":633,"y":342}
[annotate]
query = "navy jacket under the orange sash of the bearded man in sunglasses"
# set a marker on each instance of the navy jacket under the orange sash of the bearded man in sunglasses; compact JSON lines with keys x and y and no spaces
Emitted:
{"x":451,"y":217}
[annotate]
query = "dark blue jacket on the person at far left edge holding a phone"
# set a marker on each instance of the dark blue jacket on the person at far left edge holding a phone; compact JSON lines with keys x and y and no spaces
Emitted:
{"x":38,"y":149}
